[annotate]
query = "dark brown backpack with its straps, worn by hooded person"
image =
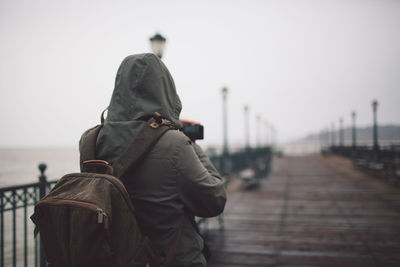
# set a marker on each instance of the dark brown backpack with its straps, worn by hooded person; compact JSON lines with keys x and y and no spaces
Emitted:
{"x":88,"y":219}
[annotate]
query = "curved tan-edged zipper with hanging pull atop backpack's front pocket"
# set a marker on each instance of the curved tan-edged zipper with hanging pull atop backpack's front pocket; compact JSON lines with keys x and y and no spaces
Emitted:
{"x":101,"y":215}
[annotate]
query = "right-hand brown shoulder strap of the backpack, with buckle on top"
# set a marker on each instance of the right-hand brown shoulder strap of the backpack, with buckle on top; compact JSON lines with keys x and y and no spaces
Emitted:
{"x":144,"y":141}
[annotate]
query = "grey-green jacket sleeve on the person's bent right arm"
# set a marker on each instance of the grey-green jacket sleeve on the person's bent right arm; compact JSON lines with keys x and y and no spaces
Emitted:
{"x":200,"y":186}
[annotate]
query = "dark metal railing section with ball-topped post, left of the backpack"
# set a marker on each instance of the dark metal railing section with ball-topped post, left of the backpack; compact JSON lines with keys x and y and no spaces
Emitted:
{"x":15,"y":200}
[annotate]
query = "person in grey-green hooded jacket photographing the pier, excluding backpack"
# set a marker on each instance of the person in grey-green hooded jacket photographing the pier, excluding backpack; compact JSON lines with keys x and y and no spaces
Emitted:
{"x":175,"y":181}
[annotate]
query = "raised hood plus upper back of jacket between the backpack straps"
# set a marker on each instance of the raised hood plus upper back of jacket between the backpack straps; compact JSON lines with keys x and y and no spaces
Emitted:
{"x":143,"y":86}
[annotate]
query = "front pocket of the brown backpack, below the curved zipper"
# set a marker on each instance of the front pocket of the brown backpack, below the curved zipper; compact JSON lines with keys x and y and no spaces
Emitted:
{"x":74,"y":233}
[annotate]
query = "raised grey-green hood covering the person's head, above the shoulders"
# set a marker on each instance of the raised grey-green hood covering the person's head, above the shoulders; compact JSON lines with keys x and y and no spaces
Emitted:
{"x":143,"y":86}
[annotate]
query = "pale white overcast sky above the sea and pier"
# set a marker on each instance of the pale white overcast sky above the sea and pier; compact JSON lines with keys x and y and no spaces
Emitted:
{"x":300,"y":64}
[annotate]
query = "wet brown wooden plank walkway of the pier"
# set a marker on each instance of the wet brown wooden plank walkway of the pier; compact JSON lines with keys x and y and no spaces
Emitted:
{"x":311,"y":211}
